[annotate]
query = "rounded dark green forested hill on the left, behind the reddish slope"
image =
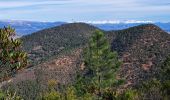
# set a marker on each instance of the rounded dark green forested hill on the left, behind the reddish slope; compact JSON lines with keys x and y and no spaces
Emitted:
{"x":49,"y":43}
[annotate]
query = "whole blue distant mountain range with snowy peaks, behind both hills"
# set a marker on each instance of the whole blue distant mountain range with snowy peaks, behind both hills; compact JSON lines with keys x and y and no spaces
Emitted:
{"x":28,"y":27}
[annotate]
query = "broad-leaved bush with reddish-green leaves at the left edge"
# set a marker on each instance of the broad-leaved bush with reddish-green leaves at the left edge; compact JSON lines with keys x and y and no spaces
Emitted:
{"x":12,"y":58}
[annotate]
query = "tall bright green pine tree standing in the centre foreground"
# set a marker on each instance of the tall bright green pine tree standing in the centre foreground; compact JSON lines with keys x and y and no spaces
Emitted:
{"x":101,"y":65}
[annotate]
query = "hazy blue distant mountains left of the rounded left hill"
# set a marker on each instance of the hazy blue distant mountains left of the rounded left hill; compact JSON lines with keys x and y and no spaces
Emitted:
{"x":28,"y":27}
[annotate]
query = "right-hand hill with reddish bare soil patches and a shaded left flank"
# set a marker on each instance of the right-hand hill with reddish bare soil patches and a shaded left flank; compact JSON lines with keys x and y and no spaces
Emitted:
{"x":142,"y":48}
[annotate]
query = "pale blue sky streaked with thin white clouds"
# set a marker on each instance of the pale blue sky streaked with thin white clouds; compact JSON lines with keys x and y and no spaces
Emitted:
{"x":85,"y":10}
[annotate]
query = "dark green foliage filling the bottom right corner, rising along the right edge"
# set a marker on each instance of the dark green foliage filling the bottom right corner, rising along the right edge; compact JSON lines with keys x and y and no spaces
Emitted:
{"x":159,"y":87}
